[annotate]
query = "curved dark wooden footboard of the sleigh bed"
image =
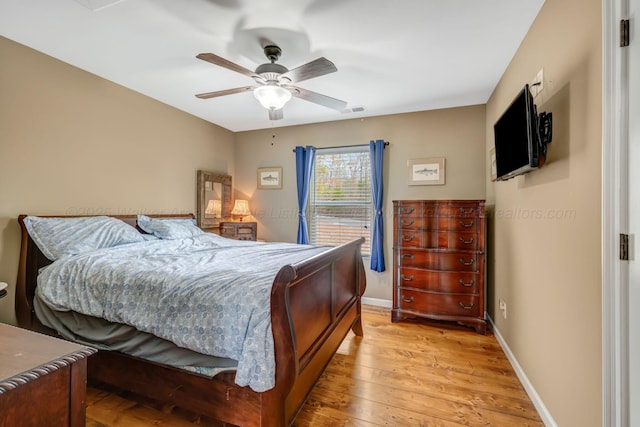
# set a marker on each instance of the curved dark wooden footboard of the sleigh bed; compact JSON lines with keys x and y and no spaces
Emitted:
{"x":314,"y":304}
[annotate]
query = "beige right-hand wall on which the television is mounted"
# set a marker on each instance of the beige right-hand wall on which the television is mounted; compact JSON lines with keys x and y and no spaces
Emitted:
{"x":545,"y":239}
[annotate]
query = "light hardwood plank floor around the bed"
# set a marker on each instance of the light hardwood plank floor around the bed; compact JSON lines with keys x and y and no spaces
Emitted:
{"x":398,"y":374}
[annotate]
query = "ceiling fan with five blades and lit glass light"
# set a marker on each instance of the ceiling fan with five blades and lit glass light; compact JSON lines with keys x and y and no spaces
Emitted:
{"x":274,"y":88}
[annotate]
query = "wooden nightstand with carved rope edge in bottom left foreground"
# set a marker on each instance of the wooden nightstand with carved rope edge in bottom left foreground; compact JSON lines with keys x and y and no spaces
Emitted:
{"x":43,"y":380}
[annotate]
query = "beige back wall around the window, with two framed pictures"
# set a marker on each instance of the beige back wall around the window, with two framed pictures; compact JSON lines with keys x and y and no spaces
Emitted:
{"x":456,"y":134}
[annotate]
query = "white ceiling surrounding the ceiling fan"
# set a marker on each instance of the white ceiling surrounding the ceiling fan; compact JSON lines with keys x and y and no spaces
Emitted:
{"x":392,"y":56}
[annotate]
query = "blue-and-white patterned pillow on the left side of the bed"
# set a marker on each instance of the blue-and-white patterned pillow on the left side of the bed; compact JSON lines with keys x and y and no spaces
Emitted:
{"x":58,"y":237}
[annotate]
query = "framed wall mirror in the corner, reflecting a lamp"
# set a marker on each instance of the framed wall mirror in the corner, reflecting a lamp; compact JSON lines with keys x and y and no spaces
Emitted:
{"x":214,"y":199}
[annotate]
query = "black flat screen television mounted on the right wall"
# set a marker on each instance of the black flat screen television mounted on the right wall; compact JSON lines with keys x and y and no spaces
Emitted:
{"x":518,"y":147}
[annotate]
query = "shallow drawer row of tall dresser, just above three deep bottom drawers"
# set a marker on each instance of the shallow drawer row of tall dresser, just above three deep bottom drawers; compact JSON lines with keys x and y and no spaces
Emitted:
{"x":440,"y":239}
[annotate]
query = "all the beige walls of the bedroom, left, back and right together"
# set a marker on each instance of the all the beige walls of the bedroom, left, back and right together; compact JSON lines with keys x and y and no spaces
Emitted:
{"x":73,"y":143}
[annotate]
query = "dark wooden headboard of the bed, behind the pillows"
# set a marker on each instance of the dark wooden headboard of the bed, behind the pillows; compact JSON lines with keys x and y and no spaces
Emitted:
{"x":32,"y":260}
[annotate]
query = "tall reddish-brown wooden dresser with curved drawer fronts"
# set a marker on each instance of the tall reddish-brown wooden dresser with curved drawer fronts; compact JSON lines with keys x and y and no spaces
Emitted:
{"x":439,"y":261}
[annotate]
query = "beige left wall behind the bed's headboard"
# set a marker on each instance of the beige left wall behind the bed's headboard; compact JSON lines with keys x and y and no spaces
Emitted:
{"x":73,"y":143}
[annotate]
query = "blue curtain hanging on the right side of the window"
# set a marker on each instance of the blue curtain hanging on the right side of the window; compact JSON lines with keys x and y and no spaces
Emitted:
{"x":376,"y":152}
